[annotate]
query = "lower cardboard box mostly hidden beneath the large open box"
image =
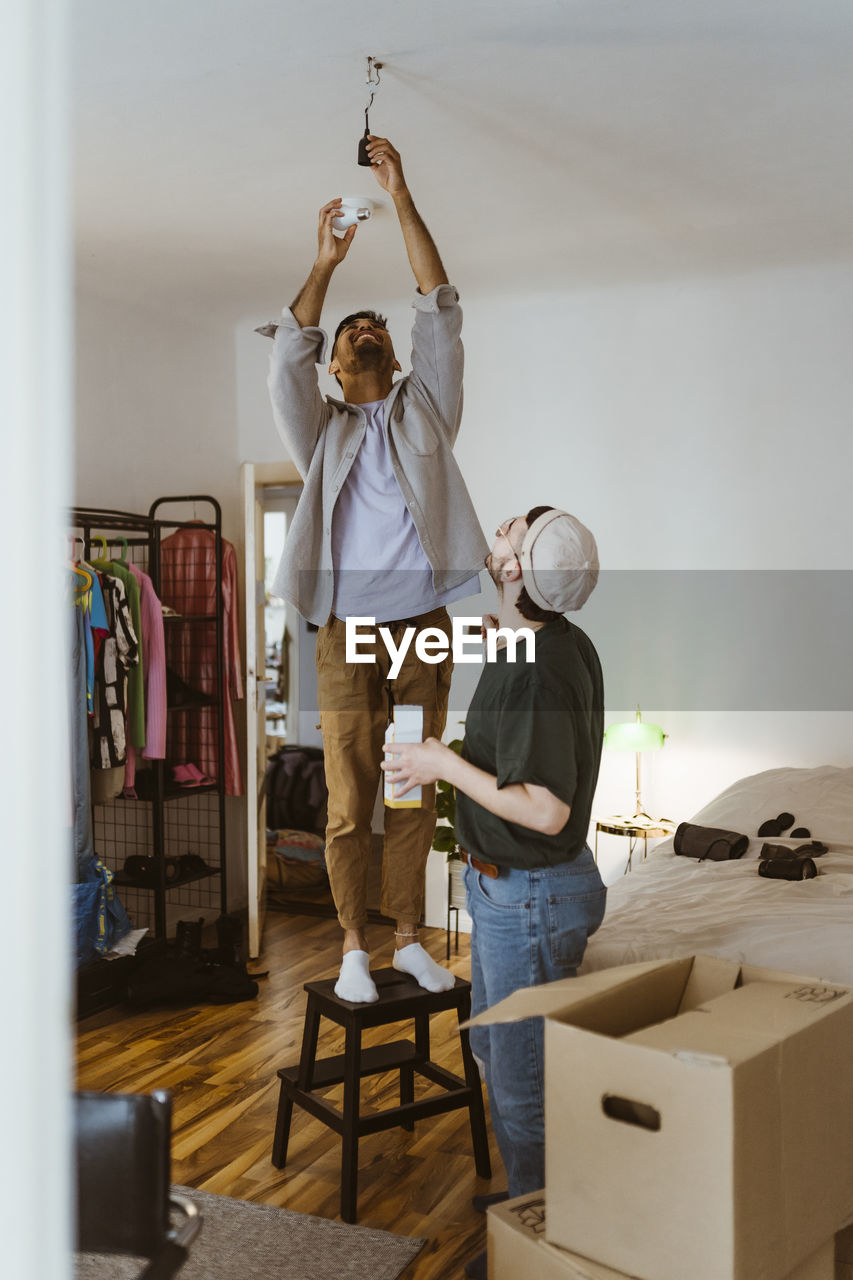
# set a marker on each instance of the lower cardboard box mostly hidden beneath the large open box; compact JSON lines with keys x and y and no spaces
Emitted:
{"x":519,"y":1251}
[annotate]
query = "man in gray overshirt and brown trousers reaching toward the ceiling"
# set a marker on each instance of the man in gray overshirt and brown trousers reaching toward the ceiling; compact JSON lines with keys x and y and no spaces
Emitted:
{"x":385,"y":529}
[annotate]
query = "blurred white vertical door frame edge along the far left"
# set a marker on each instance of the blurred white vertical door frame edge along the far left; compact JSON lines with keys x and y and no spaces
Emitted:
{"x":35,"y":412}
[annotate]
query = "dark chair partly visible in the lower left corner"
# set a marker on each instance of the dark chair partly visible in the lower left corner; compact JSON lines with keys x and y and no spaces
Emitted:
{"x":125,"y":1182}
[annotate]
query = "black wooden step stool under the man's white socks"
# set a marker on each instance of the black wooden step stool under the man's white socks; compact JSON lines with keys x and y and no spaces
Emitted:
{"x":400,"y":999}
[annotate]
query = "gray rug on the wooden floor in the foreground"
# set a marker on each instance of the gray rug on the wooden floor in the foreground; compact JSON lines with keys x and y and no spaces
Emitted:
{"x":240,"y":1241}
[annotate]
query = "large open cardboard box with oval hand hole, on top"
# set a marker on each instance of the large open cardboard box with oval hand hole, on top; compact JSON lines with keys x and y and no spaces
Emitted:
{"x":699,"y":1117}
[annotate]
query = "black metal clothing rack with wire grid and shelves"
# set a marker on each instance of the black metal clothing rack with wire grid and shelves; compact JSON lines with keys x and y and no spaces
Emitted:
{"x":168,"y":822}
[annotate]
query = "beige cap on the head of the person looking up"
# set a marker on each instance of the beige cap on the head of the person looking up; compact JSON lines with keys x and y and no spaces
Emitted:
{"x":559,"y":563}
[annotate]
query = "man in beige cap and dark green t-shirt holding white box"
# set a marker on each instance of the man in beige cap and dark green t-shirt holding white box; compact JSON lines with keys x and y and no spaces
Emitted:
{"x":524,"y":790}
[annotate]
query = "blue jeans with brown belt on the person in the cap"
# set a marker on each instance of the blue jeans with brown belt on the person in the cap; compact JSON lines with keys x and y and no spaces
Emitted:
{"x":528,"y":929}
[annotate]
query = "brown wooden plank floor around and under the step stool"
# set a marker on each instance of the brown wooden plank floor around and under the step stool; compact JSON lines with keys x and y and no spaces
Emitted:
{"x":221,"y":1064}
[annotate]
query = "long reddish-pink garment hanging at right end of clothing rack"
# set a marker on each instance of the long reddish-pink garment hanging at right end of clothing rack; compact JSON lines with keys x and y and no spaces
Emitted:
{"x":189,"y":587}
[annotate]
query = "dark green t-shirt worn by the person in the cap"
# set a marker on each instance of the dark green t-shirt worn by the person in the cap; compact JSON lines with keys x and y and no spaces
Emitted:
{"x":540,"y":723}
